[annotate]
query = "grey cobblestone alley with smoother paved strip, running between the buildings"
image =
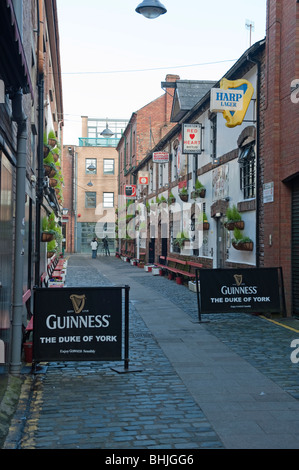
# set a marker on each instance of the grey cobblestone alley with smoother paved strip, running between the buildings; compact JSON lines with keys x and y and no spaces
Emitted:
{"x":227,"y":383}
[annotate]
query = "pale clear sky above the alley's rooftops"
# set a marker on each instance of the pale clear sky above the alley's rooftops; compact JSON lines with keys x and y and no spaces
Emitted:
{"x":113,"y":60}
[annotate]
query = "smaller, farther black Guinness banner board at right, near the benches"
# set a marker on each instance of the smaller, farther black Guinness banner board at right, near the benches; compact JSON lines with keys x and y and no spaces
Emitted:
{"x":254,"y":290}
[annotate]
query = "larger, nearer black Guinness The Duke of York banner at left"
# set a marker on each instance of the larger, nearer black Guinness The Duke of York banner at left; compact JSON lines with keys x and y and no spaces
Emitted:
{"x":77,"y":324}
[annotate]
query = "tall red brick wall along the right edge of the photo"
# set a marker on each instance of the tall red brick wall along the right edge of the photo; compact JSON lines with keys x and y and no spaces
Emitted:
{"x":279,"y":164}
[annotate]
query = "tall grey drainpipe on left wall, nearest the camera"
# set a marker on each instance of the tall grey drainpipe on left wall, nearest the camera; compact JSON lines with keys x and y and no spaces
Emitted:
{"x":20,"y":118}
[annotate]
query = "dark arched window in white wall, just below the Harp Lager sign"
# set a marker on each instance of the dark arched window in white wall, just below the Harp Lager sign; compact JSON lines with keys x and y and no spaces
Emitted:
{"x":247,"y":171}
